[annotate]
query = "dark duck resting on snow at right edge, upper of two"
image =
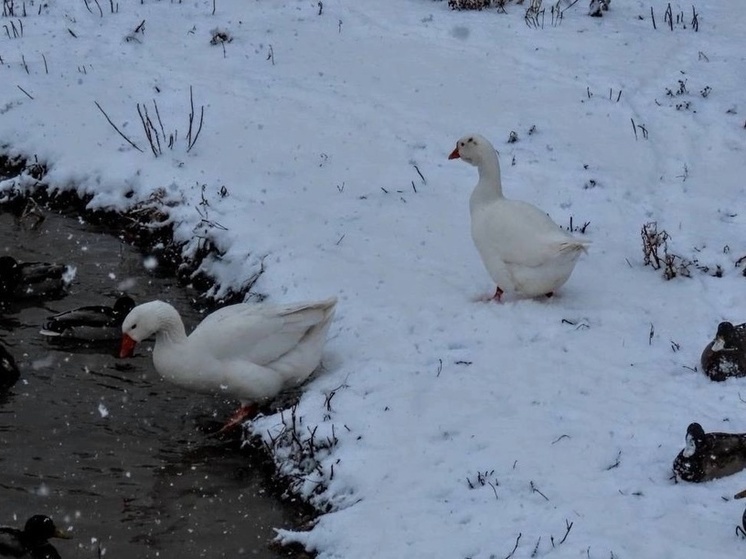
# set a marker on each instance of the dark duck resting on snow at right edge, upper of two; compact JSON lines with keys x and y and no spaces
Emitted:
{"x":725,"y":356}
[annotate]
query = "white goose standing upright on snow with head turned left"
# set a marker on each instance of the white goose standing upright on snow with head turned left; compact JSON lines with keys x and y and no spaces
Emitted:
{"x":524,"y":251}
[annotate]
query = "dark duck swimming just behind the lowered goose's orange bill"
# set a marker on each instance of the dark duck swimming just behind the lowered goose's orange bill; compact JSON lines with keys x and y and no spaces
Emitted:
{"x":90,"y":323}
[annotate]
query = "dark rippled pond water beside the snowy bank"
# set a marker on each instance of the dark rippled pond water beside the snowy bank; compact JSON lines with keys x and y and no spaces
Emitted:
{"x":104,"y":445}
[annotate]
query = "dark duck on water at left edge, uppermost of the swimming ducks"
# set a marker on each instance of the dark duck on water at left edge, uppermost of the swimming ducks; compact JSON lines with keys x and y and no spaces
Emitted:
{"x":27,"y":280}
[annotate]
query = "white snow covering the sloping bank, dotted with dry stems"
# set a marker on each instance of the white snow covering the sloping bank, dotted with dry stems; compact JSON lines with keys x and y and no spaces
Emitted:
{"x":455,"y":428}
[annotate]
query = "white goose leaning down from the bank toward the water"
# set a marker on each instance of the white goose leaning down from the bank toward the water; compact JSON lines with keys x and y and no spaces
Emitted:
{"x":249,"y":351}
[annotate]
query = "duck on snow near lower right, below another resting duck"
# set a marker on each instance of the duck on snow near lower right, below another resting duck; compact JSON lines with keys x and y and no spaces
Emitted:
{"x":709,"y":456}
